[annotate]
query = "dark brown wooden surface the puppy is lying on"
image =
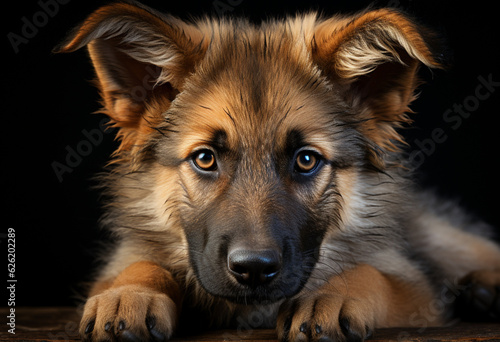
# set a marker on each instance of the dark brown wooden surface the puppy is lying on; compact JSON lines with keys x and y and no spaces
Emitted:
{"x":61,"y":324}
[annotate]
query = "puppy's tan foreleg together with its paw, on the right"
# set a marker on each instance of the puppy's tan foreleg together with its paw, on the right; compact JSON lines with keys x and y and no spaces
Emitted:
{"x":361,"y":297}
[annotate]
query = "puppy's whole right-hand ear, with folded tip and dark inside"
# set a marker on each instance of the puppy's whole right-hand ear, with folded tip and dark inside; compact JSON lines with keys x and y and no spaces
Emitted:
{"x":375,"y":56}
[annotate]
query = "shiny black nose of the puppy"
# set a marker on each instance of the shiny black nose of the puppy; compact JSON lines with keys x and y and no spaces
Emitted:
{"x":254,"y":267}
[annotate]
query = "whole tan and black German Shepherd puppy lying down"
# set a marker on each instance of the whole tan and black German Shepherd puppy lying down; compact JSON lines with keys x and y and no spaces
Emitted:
{"x":259,"y":180}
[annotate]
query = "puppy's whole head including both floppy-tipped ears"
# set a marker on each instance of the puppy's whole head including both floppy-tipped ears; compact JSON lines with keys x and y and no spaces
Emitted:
{"x":255,"y":133}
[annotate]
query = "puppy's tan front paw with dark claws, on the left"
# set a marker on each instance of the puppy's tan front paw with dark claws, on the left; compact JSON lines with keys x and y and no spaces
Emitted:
{"x":128,"y":313}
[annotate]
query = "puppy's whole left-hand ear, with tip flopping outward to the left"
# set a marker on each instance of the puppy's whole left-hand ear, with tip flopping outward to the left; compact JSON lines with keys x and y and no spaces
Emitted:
{"x":141,"y":59}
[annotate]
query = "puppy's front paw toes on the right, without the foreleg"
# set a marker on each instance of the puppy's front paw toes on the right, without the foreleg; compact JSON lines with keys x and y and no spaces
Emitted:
{"x":323,"y":317}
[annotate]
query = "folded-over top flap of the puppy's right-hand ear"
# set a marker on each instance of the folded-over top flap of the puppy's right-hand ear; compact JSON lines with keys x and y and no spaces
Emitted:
{"x":370,"y":39}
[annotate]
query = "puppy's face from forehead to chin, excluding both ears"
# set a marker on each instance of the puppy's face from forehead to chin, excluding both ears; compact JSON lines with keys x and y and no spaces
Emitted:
{"x":258,"y":144}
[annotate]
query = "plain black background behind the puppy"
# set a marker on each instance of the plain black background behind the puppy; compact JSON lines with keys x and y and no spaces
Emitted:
{"x":47,"y":100}
